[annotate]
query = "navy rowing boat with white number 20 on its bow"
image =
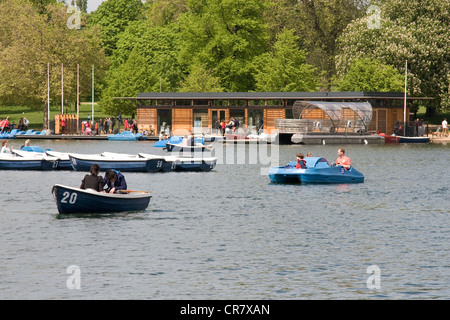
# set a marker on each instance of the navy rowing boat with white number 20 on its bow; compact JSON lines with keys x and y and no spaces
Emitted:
{"x":73,"y":200}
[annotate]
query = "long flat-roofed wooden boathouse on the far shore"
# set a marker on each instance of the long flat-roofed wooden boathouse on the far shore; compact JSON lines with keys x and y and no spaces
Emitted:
{"x":170,"y":111}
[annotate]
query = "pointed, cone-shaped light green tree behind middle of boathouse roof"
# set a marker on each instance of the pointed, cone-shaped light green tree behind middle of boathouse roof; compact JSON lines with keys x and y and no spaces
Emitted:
{"x":285,"y":69}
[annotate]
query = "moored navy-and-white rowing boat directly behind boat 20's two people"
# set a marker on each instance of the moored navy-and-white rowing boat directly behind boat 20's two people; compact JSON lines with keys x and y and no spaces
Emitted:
{"x":83,"y":162}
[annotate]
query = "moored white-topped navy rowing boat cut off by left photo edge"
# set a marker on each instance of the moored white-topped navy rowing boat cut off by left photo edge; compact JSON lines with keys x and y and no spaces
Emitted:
{"x":14,"y":162}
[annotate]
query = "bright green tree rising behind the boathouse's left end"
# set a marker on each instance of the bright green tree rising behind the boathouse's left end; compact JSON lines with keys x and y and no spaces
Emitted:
{"x":145,"y":61}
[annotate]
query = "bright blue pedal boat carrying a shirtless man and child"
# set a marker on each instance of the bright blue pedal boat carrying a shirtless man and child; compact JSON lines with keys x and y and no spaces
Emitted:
{"x":318,"y":172}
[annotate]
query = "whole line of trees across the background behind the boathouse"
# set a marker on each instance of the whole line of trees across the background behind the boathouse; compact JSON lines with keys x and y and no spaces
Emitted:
{"x":224,"y":45}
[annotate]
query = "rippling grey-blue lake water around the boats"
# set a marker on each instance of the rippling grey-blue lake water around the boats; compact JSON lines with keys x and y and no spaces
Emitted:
{"x":231,"y":234}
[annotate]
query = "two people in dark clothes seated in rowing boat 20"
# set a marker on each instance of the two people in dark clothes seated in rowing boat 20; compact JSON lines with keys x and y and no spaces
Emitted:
{"x":113,"y":182}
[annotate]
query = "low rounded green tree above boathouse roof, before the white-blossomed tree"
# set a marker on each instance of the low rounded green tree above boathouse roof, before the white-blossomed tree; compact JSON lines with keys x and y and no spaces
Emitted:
{"x":370,"y":75}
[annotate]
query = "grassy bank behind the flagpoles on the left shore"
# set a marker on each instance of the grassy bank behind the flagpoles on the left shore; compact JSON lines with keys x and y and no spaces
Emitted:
{"x":36,"y":117}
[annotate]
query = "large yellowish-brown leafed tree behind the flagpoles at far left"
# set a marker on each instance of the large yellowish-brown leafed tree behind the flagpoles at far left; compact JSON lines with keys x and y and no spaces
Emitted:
{"x":48,"y":40}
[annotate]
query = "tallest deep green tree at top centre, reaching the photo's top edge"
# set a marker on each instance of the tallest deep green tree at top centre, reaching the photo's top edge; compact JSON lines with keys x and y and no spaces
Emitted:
{"x":225,"y":36}
